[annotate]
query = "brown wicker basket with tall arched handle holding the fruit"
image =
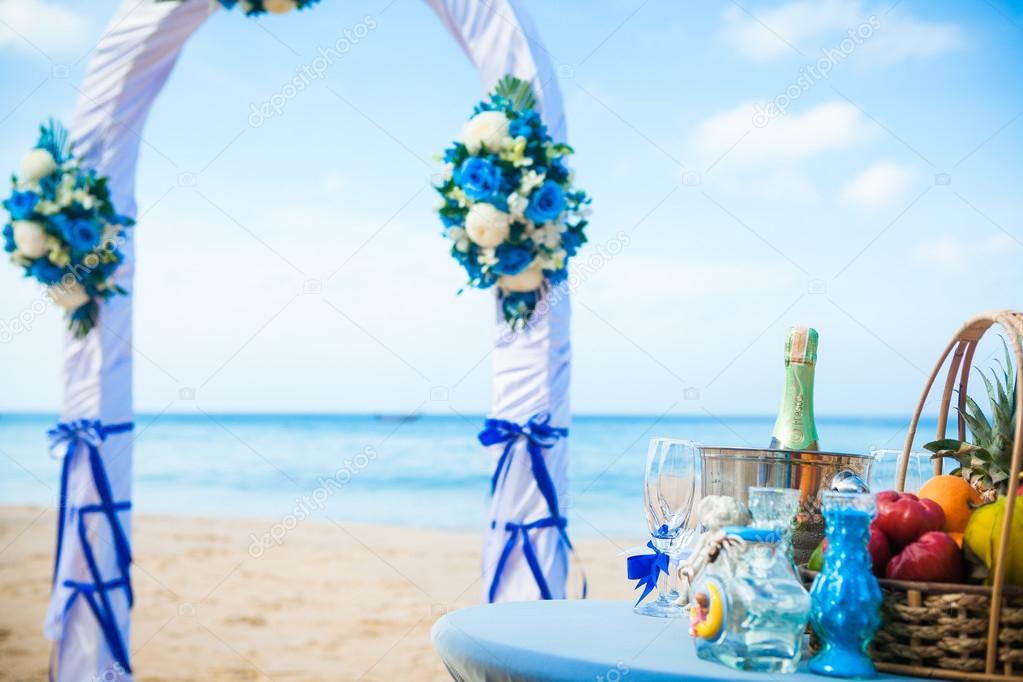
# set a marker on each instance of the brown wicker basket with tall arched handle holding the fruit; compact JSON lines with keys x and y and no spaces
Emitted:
{"x":964,"y":632}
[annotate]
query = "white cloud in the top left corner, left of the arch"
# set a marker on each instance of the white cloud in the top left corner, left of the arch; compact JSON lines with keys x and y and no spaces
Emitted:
{"x":36,"y":27}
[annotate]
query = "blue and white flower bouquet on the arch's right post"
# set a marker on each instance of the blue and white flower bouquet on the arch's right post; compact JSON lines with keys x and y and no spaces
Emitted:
{"x":509,"y":206}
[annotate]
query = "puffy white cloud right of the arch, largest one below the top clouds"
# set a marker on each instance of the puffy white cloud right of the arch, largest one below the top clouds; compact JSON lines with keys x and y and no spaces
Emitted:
{"x":731,"y":139}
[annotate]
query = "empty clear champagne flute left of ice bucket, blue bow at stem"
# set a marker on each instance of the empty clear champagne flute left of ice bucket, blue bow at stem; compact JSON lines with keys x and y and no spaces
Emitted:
{"x":670,"y":488}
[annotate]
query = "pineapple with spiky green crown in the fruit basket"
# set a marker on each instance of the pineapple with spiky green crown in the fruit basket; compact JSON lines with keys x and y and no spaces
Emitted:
{"x":986,"y":464}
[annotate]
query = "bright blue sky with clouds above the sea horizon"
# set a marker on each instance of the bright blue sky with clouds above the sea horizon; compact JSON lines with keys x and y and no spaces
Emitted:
{"x":882,"y":206}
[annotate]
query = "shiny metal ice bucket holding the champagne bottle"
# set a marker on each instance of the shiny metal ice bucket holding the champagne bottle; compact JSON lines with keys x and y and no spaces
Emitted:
{"x":733,"y":471}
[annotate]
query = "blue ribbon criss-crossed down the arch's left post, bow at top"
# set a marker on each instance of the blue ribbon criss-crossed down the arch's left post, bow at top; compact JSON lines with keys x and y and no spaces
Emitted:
{"x":90,"y":434}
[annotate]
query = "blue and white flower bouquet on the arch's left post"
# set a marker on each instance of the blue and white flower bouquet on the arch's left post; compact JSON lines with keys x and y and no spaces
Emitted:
{"x":64,"y":231}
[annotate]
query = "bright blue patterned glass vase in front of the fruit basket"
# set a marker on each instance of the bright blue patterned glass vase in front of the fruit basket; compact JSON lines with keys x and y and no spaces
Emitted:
{"x":846,"y":608}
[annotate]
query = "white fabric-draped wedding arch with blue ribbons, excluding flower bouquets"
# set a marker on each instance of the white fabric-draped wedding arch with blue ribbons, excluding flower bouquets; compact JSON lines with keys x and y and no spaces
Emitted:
{"x":526,"y":549}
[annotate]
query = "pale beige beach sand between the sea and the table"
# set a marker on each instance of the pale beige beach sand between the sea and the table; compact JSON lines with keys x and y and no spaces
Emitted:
{"x":335,"y":602}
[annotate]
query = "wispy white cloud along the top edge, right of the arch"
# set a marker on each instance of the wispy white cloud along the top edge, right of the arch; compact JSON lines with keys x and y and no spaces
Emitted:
{"x":812,"y":27}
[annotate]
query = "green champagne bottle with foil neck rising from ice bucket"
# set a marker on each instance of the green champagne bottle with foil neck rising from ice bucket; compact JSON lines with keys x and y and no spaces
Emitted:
{"x":795,"y":428}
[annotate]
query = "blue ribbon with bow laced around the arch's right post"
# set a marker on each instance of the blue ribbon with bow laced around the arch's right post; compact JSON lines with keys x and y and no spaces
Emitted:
{"x":540,"y":436}
